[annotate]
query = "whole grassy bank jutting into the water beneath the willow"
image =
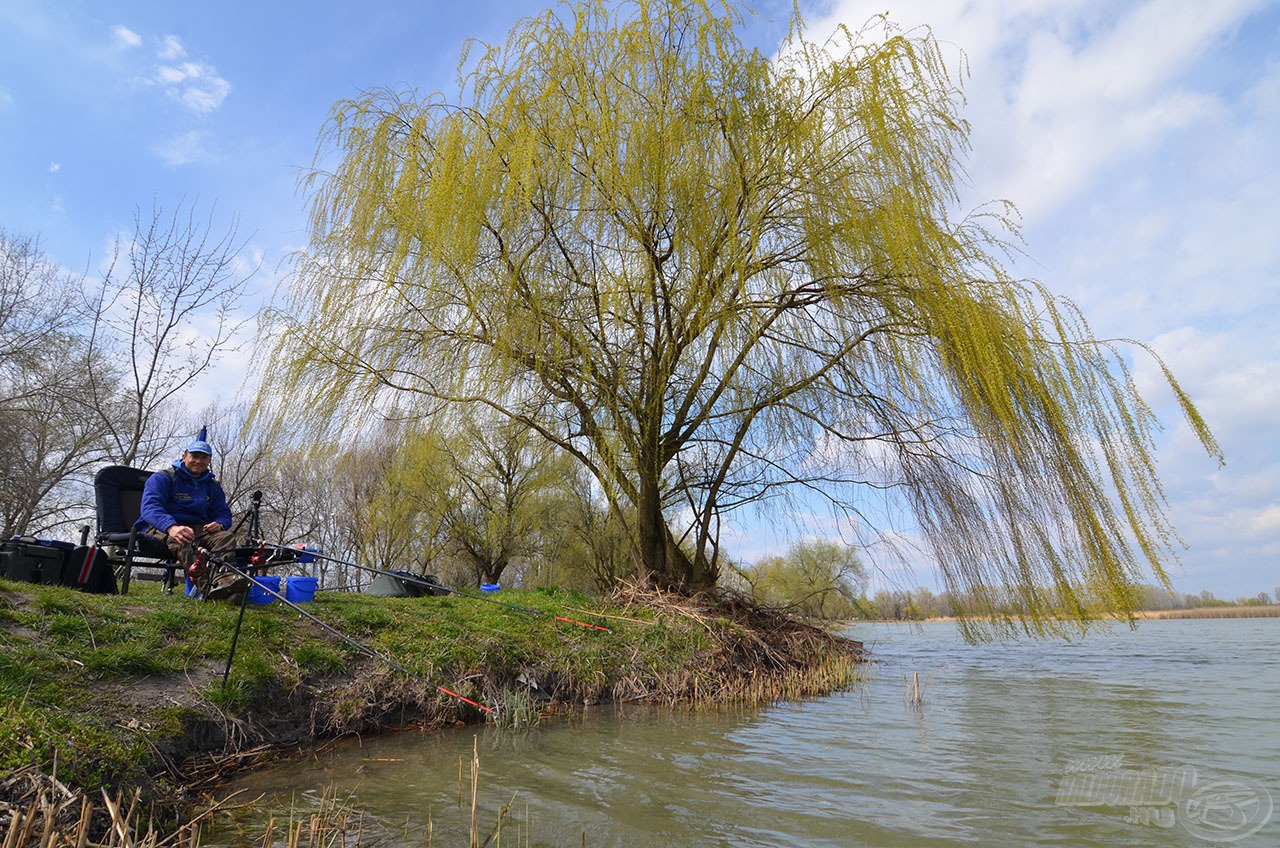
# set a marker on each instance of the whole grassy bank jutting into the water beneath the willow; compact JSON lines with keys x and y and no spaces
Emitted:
{"x":127,"y":692}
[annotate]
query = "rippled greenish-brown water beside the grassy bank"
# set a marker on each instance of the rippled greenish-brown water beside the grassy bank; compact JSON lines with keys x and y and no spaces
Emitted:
{"x":1167,"y":736}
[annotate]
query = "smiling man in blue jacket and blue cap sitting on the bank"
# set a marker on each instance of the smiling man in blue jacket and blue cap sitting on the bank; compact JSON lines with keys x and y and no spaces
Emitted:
{"x":185,"y":507}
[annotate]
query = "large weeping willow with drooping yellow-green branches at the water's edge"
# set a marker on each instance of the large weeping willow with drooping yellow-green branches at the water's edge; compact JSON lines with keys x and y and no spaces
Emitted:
{"x":715,"y":279}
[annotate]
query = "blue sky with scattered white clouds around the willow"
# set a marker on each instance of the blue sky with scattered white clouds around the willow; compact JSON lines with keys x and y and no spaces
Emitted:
{"x":1139,"y":140}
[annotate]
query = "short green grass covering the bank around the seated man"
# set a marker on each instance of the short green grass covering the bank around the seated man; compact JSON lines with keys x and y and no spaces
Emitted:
{"x":67,"y":656}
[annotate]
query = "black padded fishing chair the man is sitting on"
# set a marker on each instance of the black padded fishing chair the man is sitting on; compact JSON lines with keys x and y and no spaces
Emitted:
{"x":118,"y":493}
